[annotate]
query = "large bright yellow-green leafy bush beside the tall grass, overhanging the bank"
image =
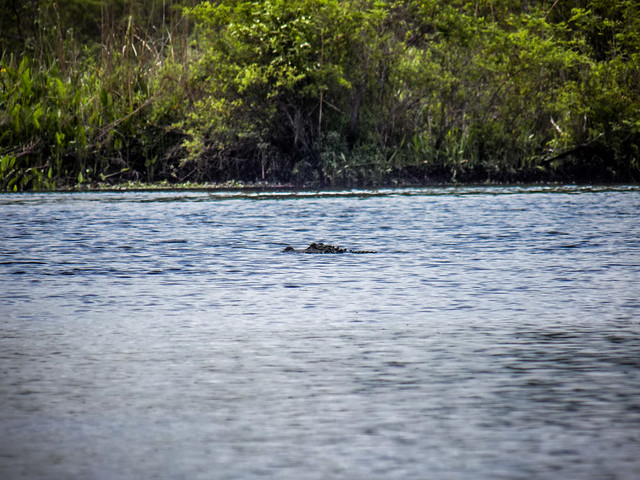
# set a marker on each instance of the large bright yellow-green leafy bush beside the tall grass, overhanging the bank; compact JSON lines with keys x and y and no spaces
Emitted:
{"x":277,"y":77}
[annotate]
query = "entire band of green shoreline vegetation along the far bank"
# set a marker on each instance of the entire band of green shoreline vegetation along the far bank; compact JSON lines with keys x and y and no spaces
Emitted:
{"x":325,"y":93}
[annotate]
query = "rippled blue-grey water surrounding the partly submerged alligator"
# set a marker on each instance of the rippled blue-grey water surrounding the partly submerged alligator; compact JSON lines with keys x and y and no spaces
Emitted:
{"x":496,"y":335}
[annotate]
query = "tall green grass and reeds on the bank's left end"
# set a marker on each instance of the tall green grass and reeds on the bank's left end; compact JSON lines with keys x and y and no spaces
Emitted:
{"x":71,"y":114}
